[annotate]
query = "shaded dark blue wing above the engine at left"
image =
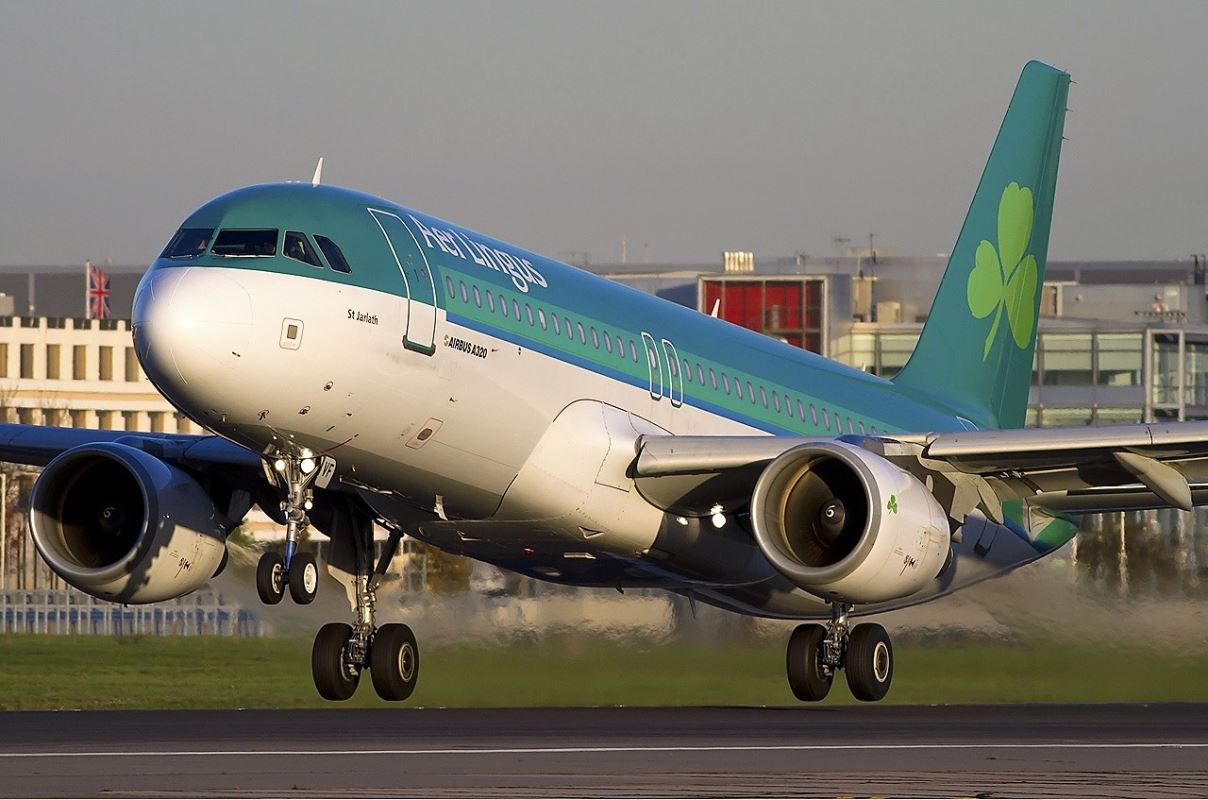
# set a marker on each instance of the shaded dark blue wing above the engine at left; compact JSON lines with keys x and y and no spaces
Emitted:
{"x":39,"y":445}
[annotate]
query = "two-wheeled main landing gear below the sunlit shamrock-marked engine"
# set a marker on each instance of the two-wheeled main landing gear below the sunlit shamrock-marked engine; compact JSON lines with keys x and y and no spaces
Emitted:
{"x":817,"y":653}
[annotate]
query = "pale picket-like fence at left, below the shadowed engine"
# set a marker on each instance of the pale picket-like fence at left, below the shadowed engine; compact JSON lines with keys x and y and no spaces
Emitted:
{"x":65,"y":612}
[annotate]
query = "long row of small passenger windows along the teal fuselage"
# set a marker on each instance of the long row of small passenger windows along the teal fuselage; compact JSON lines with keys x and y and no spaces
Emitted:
{"x":693,"y":373}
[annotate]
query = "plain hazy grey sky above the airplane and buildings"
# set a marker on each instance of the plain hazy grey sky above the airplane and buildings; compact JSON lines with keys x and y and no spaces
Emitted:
{"x":682,"y":129}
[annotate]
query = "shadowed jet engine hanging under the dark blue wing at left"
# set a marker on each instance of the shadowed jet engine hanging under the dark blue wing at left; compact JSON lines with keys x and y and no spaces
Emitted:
{"x":124,"y":526}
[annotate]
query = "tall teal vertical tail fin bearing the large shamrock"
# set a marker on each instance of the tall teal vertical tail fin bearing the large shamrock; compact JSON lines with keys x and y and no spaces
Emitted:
{"x":977,"y":349}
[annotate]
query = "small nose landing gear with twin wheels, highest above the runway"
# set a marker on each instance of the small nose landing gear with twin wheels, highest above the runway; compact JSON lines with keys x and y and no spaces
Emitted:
{"x":295,"y":571}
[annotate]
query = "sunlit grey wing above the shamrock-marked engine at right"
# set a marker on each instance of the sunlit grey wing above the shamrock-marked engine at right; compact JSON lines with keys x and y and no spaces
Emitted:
{"x":1111,"y":468}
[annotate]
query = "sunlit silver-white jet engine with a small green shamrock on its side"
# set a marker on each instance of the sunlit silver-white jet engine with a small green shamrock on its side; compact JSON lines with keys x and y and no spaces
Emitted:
{"x":846,"y":525}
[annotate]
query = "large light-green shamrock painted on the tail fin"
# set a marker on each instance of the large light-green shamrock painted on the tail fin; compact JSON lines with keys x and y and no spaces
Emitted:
{"x":1006,"y":279}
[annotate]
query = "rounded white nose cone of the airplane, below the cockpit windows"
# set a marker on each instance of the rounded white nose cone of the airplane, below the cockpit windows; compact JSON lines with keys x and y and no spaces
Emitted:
{"x":191,"y":329}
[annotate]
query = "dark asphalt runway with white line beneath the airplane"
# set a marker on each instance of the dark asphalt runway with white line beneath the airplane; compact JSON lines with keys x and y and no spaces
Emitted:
{"x":950,"y":751}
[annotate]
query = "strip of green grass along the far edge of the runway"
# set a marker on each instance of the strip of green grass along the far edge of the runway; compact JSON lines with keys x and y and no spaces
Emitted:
{"x":101,"y":673}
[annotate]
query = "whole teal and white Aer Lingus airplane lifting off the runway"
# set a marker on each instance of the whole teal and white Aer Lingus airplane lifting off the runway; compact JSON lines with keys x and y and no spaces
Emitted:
{"x":363,"y":363}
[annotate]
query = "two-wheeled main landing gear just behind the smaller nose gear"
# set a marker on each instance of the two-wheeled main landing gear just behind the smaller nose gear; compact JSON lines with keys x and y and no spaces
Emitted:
{"x":344,"y":652}
